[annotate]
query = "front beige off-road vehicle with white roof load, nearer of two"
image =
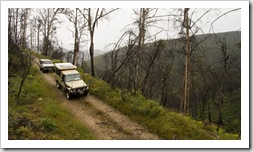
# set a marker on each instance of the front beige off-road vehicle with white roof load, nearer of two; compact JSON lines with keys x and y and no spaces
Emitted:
{"x":68,"y":79}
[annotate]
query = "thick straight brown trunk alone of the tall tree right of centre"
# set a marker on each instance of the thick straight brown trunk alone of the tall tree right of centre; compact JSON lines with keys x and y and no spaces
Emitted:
{"x":186,"y":95}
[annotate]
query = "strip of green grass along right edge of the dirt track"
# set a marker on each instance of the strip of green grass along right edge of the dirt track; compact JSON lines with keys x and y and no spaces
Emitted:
{"x":168,"y":125}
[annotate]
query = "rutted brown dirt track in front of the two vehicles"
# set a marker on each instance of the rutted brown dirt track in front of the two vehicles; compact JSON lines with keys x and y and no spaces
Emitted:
{"x":105,"y":122}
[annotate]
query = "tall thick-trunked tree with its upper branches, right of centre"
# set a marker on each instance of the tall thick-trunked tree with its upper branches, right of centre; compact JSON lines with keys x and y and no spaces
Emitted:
{"x":189,"y":30}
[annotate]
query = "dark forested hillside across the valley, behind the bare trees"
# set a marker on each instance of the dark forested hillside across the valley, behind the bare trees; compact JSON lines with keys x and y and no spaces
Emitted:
{"x":215,"y":75}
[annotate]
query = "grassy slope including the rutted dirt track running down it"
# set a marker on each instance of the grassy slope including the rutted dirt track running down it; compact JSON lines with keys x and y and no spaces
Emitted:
{"x":115,"y":115}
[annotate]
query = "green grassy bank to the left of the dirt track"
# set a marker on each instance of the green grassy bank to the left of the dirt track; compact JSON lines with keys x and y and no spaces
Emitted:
{"x":39,"y":114}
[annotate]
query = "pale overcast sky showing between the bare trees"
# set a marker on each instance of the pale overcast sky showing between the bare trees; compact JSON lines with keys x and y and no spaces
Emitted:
{"x":110,"y":30}
